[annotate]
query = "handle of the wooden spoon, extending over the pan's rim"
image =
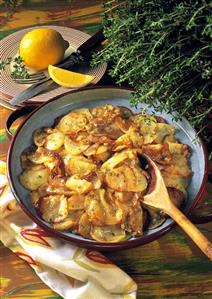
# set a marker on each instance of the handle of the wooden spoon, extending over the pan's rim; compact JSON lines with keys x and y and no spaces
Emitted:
{"x":191,"y":230}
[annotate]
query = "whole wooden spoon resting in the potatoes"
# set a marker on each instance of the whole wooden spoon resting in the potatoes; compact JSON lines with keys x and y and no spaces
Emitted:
{"x":158,"y":197}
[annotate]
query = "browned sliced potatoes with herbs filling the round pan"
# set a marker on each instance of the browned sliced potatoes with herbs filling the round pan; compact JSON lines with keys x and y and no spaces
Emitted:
{"x":85,"y":173}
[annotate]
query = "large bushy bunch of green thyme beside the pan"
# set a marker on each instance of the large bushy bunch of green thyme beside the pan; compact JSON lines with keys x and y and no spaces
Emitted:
{"x":162,"y":48}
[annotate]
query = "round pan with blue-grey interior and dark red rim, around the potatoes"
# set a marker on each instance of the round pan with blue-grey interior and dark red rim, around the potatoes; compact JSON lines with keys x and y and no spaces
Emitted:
{"x":61,"y":105}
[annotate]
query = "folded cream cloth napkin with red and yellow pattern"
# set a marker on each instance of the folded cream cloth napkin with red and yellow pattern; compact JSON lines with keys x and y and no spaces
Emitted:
{"x":72,"y":272}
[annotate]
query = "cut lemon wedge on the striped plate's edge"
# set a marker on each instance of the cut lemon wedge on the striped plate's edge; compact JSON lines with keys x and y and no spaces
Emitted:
{"x":69,"y":79}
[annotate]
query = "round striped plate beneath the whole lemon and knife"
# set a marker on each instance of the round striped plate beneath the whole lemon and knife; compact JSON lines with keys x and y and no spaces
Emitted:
{"x":9,"y":48}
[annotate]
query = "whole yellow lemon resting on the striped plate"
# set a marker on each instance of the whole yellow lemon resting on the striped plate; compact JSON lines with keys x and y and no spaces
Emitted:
{"x":41,"y":47}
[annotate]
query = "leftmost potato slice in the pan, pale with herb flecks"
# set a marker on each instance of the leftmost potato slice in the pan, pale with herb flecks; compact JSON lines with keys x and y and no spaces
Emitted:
{"x":34,"y":178}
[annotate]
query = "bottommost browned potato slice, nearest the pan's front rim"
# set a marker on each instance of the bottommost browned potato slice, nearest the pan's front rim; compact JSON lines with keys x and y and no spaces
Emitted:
{"x":109,"y":234}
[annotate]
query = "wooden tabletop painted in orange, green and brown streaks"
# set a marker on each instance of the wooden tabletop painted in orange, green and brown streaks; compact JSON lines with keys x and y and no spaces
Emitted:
{"x":171,"y":267}
